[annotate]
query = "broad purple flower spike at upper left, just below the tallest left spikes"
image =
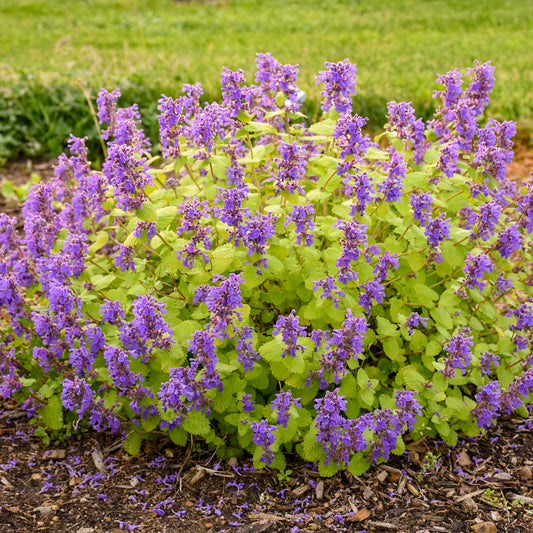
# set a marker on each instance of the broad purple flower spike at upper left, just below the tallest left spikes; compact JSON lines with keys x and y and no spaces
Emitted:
{"x":128,"y":173}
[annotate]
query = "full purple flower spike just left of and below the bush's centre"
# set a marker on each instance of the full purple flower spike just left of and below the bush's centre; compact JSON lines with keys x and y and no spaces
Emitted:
{"x":222,"y":302}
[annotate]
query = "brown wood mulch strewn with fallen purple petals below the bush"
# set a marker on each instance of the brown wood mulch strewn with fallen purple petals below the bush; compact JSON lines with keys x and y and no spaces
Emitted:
{"x":91,"y":486}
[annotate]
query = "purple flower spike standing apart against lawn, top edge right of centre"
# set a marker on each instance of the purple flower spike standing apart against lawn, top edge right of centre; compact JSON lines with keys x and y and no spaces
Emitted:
{"x":339,"y":85}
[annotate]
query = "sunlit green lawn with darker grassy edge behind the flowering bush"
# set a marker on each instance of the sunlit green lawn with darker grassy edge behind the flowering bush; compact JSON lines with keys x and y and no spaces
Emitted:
{"x":151,"y":46}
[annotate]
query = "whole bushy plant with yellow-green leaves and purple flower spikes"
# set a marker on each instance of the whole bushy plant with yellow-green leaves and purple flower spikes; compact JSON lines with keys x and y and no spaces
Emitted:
{"x":273,"y":285}
